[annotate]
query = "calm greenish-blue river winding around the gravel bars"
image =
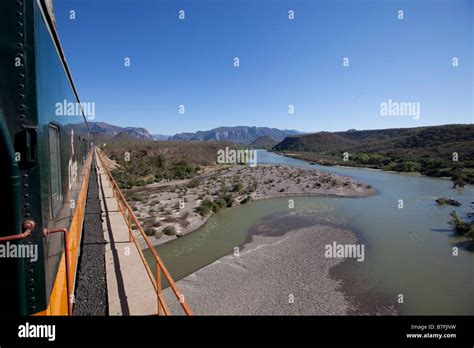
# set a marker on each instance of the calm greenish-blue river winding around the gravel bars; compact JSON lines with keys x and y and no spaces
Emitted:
{"x":408,"y":251}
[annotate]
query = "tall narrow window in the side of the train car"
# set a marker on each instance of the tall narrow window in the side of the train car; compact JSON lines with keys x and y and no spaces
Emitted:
{"x":55,"y":168}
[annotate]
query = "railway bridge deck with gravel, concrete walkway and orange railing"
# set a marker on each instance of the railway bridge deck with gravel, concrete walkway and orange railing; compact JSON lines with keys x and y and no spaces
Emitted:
{"x":114,"y":276}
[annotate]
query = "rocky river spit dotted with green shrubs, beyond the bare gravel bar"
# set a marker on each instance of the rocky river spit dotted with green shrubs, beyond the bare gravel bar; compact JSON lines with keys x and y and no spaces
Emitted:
{"x":172,"y":209}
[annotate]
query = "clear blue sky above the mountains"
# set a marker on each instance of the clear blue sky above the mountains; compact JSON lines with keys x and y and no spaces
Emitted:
{"x":282,"y":62}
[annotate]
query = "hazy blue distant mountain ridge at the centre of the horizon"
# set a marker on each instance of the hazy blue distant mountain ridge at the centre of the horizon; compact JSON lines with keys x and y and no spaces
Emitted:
{"x":239,"y":134}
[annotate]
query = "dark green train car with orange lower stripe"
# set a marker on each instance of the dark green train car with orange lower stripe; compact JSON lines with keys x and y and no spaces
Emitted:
{"x":46,"y":158}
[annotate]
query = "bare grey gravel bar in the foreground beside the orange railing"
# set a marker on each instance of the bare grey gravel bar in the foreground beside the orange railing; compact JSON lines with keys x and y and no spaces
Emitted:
{"x":275,"y":274}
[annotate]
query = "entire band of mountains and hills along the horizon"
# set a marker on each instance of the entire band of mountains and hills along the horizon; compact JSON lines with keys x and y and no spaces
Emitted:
{"x":442,"y":151}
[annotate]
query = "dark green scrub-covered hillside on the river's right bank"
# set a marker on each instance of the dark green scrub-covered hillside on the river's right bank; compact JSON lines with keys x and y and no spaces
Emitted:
{"x":438,"y":151}
